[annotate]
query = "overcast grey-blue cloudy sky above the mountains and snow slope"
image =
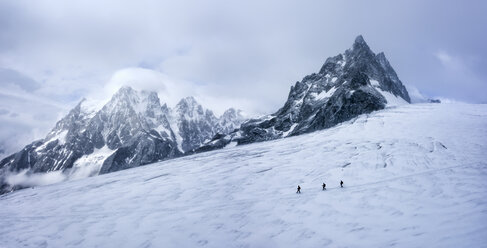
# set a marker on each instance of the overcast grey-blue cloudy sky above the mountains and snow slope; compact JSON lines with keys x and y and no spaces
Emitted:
{"x":244,"y":54}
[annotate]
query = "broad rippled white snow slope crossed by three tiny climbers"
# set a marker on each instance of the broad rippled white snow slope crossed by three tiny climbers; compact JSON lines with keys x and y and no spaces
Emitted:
{"x":415,"y":176}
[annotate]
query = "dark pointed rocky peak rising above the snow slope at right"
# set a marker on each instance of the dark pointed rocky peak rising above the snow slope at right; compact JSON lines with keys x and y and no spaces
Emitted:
{"x":347,"y":85}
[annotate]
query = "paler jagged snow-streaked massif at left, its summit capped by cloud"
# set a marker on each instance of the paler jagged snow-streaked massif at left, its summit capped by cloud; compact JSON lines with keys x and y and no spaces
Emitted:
{"x":132,"y":129}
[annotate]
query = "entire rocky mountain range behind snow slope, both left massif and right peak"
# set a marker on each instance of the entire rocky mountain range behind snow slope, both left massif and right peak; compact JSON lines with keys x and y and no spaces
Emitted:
{"x":134,"y":129}
